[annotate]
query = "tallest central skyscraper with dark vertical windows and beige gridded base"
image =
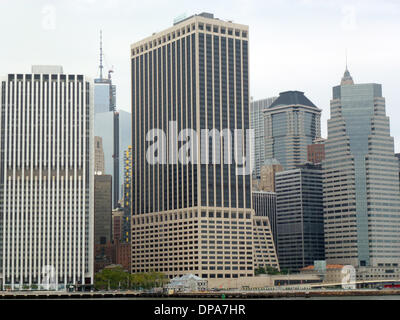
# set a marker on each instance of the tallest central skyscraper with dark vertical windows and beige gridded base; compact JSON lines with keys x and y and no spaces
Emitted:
{"x":196,"y":217}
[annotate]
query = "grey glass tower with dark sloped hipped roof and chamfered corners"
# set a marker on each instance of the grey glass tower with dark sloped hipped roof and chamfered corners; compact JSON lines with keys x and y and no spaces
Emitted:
{"x":292,"y":122}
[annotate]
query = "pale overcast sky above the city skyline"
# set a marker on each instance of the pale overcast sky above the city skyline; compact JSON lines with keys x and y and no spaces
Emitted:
{"x":294,"y":44}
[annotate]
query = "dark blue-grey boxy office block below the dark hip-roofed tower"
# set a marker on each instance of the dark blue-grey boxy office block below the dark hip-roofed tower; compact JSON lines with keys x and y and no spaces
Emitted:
{"x":300,"y":217}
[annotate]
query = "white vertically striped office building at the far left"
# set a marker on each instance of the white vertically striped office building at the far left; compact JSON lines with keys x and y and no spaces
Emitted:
{"x":46,"y":180}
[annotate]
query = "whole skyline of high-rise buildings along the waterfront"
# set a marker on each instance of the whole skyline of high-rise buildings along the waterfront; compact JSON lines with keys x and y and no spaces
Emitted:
{"x":336,"y":199}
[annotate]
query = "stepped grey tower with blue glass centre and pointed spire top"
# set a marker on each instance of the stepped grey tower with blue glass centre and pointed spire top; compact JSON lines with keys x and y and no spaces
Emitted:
{"x":361,"y":181}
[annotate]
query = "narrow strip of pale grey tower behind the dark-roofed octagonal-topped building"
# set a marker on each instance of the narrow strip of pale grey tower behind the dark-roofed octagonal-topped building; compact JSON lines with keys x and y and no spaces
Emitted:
{"x":257,"y":124}
